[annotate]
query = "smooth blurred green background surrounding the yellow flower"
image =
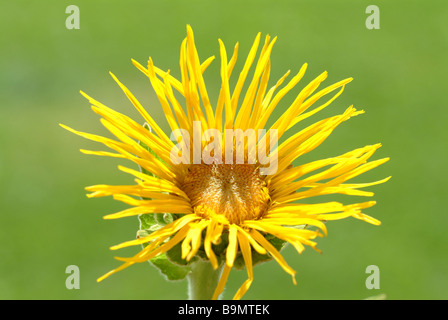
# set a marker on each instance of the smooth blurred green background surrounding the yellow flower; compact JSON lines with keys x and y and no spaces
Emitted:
{"x":47,"y":223}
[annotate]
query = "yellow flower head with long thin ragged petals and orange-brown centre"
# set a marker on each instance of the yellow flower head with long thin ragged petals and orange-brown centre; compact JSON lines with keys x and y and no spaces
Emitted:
{"x":225,"y":198}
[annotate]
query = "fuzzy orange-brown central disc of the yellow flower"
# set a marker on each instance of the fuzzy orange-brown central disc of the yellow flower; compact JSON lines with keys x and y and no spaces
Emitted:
{"x":236,"y":191}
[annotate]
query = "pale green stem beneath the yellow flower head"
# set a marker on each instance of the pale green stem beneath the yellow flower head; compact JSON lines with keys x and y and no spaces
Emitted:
{"x":202,"y":280}
